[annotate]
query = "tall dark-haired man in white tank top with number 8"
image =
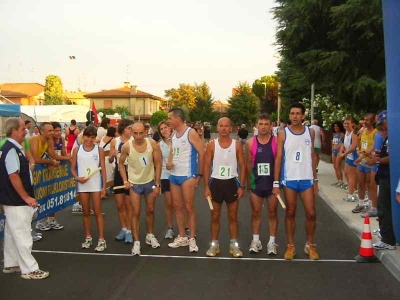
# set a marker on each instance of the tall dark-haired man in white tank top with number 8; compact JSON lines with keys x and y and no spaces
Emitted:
{"x":297,"y":159}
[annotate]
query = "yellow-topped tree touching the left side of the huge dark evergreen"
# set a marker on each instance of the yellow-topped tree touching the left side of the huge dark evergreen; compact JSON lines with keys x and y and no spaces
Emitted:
{"x":266,"y":89}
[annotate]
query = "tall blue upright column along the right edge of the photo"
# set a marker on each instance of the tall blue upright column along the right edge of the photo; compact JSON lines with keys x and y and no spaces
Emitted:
{"x":391,"y":24}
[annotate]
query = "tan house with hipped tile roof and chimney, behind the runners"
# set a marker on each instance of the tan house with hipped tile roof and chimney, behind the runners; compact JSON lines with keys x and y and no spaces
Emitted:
{"x":140,"y":104}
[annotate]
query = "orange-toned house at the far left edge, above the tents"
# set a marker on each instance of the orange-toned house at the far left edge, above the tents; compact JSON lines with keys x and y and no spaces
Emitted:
{"x":23,"y":93}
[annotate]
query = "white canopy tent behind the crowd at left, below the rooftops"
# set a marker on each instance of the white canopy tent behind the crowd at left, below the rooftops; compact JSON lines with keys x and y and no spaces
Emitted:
{"x":56,"y":113}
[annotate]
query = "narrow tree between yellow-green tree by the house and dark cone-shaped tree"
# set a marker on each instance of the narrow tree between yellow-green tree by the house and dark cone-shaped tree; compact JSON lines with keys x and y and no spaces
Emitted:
{"x":203,"y":111}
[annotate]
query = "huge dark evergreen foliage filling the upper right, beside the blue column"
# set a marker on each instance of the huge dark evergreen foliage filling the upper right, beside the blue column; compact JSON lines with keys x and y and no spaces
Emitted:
{"x":336,"y":44}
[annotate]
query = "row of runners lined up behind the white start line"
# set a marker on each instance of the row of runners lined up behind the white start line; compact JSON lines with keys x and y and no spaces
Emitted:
{"x":175,"y":167}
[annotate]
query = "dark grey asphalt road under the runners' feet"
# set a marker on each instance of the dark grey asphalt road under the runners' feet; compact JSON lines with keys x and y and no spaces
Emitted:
{"x":177,"y":274}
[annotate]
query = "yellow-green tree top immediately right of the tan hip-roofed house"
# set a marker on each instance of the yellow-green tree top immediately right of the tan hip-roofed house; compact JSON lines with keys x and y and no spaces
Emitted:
{"x":185,"y":95}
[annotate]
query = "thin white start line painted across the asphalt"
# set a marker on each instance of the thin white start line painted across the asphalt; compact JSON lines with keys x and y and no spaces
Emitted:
{"x":195,"y":257}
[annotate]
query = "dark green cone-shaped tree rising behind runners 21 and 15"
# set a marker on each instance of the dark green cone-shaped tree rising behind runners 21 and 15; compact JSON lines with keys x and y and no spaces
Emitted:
{"x":244,"y":105}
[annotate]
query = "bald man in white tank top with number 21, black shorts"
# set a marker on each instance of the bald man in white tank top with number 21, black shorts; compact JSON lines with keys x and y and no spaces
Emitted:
{"x":225,"y":156}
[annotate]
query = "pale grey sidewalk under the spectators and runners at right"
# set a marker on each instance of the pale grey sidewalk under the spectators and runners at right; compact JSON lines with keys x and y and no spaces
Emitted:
{"x":334,"y":198}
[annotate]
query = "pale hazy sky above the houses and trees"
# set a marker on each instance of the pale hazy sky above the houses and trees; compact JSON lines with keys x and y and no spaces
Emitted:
{"x":152,"y":44}
